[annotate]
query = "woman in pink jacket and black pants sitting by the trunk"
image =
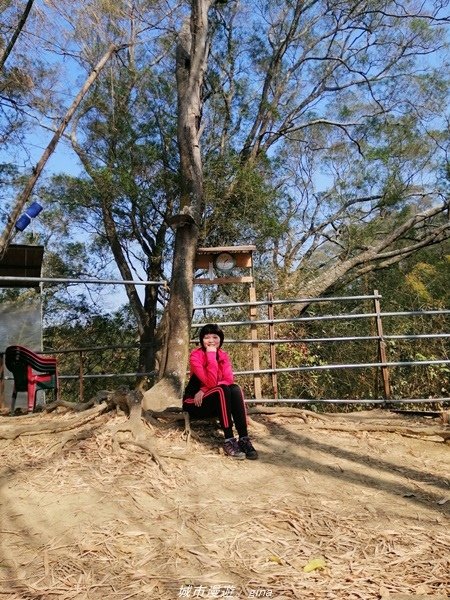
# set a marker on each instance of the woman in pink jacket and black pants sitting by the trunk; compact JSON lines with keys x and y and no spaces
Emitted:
{"x":211,"y":392}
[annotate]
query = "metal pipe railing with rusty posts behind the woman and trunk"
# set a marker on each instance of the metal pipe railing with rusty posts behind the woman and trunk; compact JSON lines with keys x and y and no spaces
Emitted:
{"x":383,"y":365}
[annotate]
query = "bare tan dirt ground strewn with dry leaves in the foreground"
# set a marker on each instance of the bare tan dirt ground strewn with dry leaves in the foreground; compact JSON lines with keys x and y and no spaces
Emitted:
{"x":333,"y":509}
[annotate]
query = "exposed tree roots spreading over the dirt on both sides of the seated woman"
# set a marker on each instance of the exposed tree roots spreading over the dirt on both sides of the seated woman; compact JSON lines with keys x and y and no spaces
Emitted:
{"x":135,"y":431}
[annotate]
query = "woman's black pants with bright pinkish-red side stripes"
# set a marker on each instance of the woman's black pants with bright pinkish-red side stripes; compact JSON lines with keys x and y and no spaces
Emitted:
{"x":225,"y":402}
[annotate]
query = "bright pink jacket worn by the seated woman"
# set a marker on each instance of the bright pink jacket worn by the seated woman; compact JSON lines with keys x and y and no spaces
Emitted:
{"x":212,"y":369}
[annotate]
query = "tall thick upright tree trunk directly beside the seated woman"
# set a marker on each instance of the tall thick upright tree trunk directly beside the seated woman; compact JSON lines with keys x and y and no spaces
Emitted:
{"x":192,"y":53}
